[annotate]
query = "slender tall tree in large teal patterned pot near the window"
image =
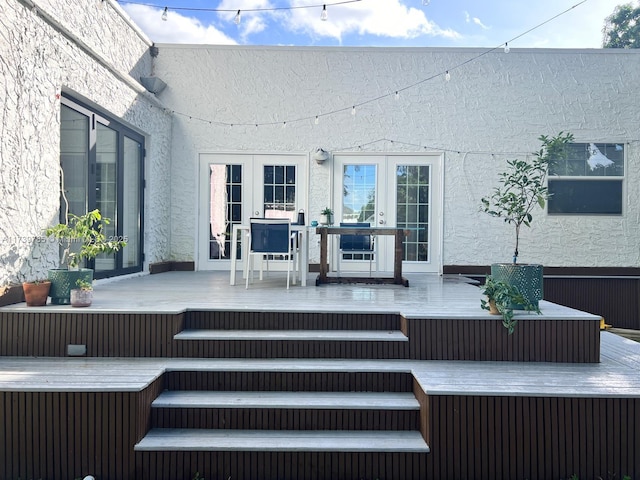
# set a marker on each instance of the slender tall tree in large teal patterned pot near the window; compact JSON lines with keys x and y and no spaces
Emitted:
{"x":522,"y":189}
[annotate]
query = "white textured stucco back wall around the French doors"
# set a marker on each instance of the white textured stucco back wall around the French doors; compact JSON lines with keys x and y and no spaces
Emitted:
{"x":495,"y":104}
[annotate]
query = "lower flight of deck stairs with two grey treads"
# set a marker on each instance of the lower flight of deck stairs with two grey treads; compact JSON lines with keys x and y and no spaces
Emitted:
{"x":296,"y":412}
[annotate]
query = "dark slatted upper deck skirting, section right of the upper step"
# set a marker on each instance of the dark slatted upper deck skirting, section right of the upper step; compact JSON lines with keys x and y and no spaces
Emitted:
{"x":539,"y":340}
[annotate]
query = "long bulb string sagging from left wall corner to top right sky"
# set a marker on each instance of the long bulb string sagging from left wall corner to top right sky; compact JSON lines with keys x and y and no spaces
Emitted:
{"x":395,"y":92}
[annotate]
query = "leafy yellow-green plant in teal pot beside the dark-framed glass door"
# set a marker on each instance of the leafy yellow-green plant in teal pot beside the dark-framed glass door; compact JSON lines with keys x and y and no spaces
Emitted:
{"x":81,"y":238}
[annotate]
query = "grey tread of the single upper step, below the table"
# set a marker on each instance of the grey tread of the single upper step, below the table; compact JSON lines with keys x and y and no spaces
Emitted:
{"x":294,"y":335}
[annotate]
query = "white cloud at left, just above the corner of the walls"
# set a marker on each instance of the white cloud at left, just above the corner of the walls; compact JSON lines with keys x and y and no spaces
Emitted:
{"x":177,"y":29}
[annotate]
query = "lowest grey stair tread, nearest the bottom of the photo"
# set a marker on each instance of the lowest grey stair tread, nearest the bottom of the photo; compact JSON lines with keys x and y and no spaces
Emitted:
{"x":166,"y":439}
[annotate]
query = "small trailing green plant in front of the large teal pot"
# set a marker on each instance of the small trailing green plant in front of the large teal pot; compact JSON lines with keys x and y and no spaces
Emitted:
{"x":501,"y":299}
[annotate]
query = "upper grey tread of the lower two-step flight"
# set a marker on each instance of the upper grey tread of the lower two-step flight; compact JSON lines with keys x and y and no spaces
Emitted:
{"x":290,"y":400}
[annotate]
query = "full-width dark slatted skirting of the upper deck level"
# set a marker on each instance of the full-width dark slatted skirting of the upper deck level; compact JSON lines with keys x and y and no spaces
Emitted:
{"x":539,"y":339}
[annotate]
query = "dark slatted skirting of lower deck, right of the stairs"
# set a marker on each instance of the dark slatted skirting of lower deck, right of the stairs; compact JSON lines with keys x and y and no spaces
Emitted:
{"x":533,"y":438}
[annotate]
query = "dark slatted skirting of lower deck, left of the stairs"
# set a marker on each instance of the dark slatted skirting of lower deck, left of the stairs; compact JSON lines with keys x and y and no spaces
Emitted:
{"x":56,"y":435}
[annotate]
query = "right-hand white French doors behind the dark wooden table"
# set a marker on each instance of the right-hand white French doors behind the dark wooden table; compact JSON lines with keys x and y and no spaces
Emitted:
{"x":391,"y":191}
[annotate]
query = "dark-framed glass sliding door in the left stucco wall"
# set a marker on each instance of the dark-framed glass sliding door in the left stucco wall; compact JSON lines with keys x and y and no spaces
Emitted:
{"x":102,"y":167}
